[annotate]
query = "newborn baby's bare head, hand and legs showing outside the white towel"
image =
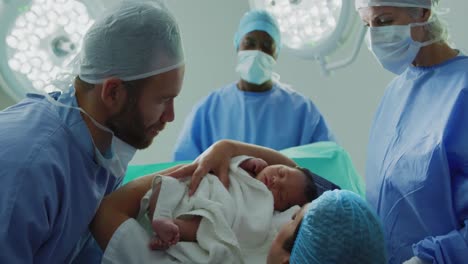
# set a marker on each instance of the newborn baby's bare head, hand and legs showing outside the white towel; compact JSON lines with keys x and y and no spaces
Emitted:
{"x":289,"y":186}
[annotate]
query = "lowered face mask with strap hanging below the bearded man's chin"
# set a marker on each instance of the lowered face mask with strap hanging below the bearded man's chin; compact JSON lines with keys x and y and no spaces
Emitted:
{"x":120,"y":152}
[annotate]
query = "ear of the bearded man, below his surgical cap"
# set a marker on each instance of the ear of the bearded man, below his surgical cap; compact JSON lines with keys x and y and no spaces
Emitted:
{"x":113,"y":94}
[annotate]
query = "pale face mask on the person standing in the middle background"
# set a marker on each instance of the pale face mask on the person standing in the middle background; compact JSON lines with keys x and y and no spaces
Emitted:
{"x":255,"y":66}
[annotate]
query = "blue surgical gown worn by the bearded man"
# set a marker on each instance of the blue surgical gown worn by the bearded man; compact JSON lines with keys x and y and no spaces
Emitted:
{"x":50,"y":186}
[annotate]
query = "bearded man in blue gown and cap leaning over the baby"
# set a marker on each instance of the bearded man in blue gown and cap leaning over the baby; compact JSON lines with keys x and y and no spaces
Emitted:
{"x":61,"y":153}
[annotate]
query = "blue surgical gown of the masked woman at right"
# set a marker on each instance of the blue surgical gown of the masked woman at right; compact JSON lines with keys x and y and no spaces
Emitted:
{"x":417,"y":168}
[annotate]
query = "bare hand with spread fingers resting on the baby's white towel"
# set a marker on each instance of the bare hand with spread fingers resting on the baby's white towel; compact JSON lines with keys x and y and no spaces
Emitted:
{"x":214,"y":160}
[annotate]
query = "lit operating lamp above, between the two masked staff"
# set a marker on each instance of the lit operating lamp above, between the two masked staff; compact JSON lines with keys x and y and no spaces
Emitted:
{"x":314,"y":29}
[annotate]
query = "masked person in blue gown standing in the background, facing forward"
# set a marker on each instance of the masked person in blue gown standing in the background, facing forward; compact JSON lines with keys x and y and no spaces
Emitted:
{"x":257,"y":109}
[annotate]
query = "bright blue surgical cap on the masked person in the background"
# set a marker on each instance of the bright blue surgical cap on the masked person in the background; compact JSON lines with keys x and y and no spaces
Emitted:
{"x":258,"y":20}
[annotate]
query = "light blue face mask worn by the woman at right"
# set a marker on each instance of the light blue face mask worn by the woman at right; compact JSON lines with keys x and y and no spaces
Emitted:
{"x":394,"y":47}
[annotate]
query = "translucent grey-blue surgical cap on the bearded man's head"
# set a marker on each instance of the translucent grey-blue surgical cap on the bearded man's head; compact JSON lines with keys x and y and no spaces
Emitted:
{"x":133,"y":41}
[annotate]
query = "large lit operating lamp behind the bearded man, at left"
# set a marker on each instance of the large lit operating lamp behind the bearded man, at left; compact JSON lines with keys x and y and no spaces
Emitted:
{"x":39,"y":38}
